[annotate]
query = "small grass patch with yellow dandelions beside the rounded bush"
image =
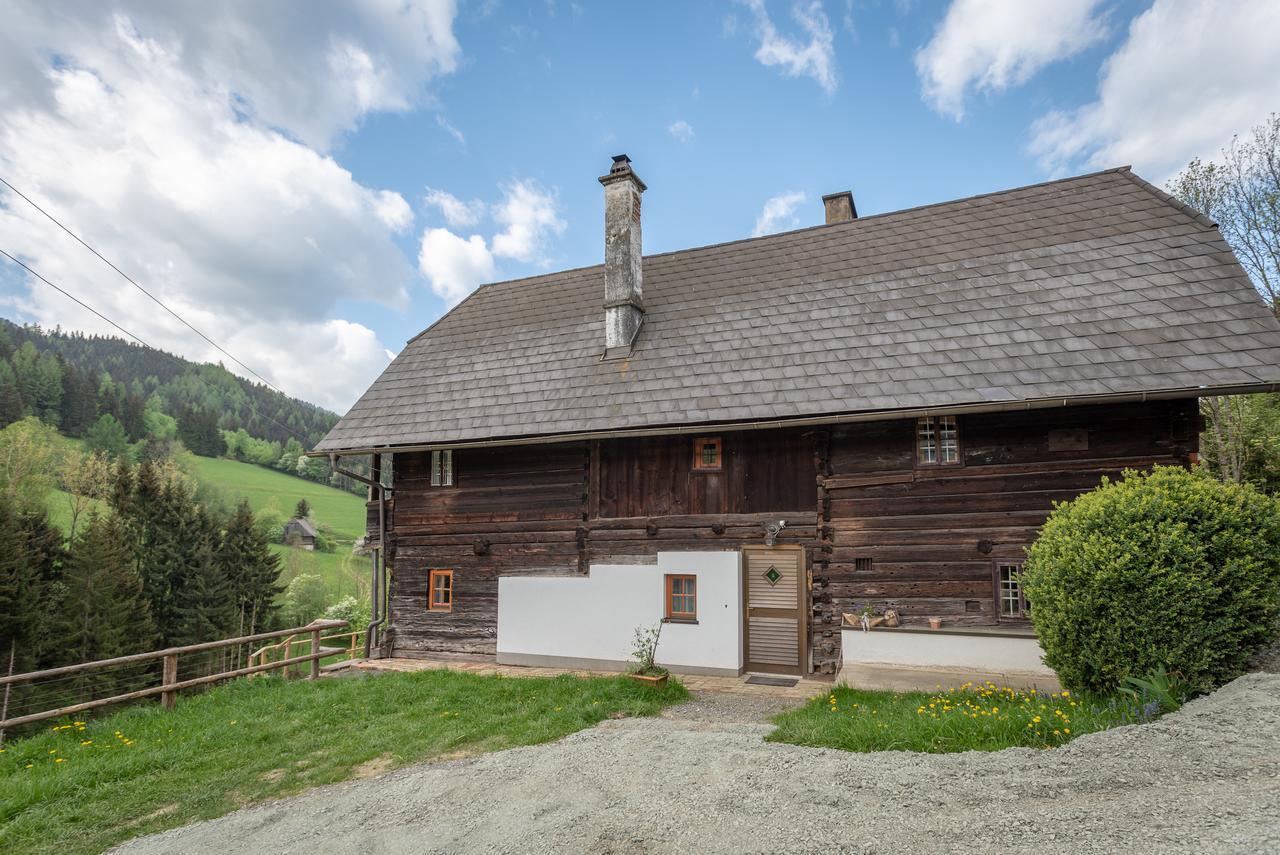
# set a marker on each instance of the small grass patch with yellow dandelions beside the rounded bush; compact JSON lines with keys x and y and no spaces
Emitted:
{"x":972,"y":719}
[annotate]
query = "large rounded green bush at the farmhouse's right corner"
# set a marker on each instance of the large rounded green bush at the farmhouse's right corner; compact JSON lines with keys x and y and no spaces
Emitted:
{"x":1169,"y":568}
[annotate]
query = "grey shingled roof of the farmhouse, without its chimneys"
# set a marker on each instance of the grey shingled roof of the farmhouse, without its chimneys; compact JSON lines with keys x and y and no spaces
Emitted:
{"x":1086,"y":289}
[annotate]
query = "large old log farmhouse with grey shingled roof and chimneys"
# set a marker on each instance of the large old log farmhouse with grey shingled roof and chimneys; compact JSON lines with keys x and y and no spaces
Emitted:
{"x":753,"y":440}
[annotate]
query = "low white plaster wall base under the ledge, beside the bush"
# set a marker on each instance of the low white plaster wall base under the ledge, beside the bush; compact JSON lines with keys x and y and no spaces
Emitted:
{"x":939,"y":650}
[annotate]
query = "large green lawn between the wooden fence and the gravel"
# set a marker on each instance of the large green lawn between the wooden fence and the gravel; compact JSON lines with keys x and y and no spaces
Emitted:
{"x":141,"y":771}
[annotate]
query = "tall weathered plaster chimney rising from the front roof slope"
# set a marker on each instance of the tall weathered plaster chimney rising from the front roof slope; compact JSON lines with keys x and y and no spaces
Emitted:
{"x":624,"y":292}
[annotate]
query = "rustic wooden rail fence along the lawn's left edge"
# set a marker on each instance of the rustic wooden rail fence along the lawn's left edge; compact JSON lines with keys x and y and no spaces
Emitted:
{"x":170,"y":685}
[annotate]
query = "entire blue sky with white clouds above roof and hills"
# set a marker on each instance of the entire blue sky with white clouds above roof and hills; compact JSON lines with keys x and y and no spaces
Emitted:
{"x":316,"y":184}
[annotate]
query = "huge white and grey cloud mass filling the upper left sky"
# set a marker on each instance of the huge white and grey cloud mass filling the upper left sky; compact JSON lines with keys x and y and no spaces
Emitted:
{"x":182,"y":143}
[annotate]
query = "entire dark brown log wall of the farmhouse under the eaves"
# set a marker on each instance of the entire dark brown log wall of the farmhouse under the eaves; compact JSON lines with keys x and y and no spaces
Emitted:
{"x":932,"y":534}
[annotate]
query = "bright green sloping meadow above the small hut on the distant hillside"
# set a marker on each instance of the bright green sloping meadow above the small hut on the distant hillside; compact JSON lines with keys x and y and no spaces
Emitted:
{"x":264,"y":488}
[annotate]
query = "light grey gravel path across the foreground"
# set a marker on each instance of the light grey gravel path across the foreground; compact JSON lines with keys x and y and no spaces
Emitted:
{"x":1204,"y":780}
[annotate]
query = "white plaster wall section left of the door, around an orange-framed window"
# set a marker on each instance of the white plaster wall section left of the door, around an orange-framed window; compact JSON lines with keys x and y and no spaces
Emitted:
{"x":593,"y":619}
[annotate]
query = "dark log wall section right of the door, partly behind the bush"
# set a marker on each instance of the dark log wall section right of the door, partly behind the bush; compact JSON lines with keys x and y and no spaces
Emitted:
{"x":935,"y":534}
